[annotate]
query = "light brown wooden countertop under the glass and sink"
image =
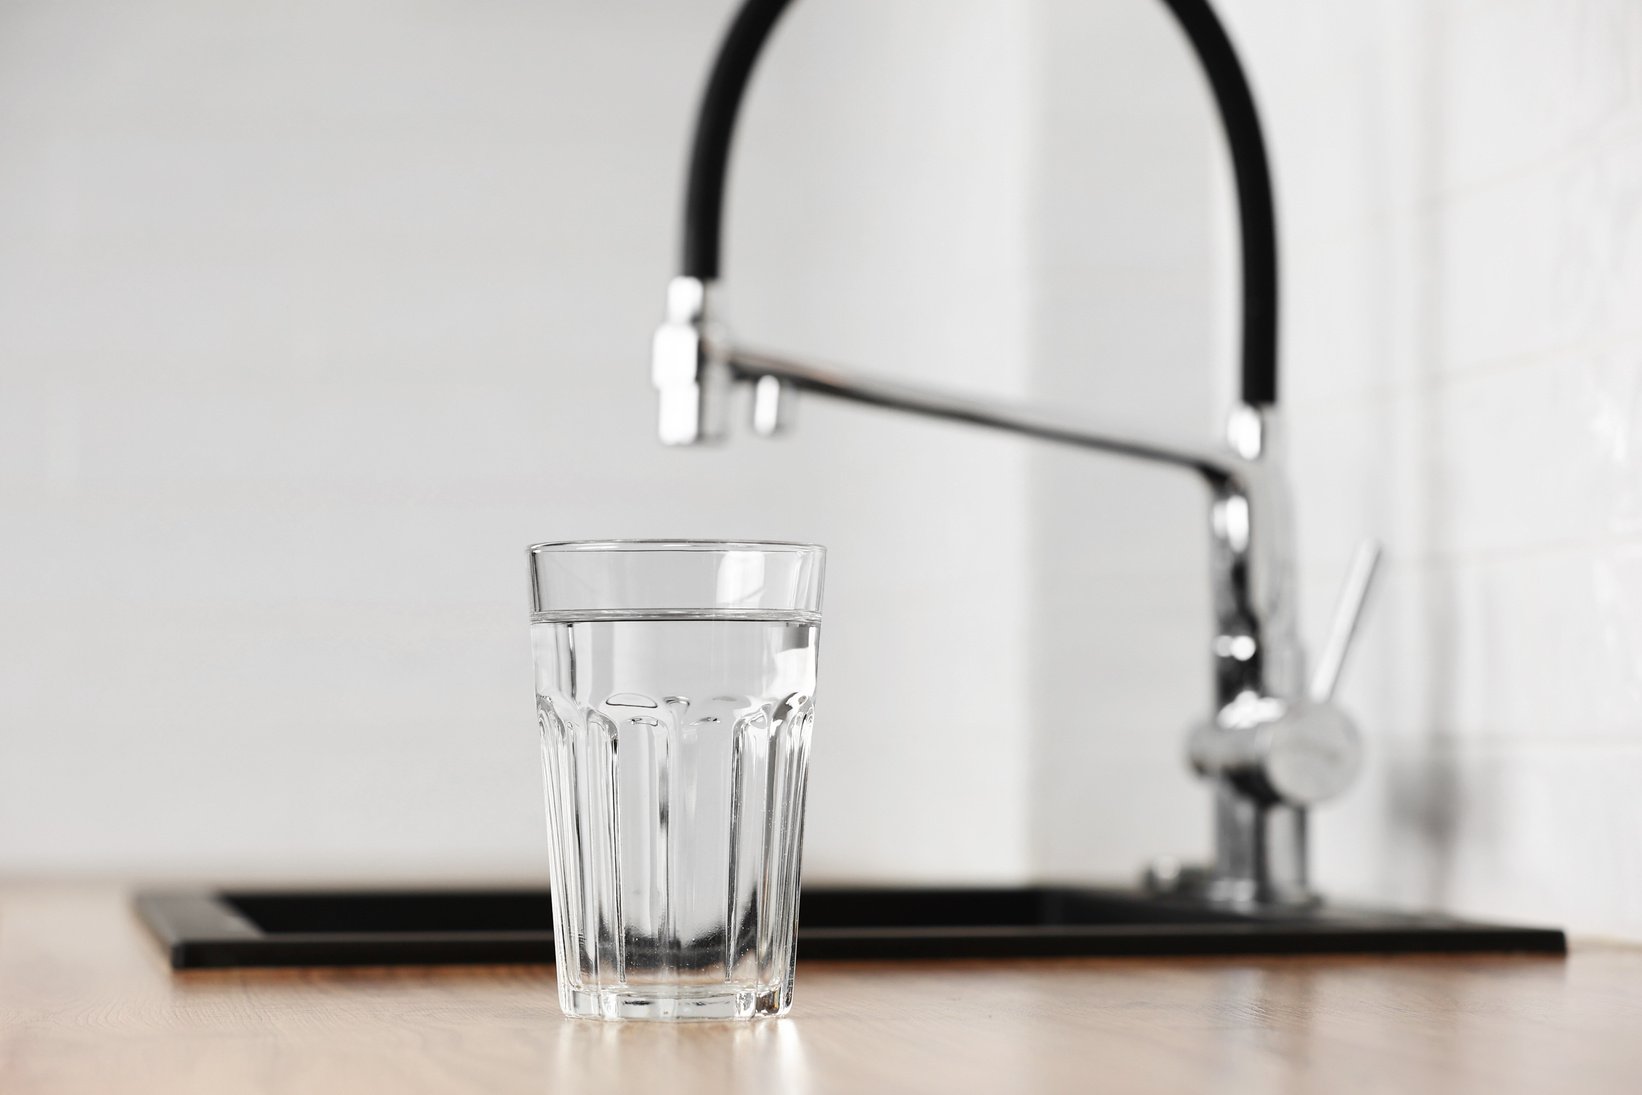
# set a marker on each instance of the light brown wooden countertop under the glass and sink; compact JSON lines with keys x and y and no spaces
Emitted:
{"x":88,"y":1006}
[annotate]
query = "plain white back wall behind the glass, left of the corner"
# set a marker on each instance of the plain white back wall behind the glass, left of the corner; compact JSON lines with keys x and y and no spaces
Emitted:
{"x":313,"y":318}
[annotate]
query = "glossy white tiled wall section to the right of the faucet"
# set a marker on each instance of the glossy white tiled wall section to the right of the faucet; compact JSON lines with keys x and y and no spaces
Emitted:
{"x":1462,"y":193}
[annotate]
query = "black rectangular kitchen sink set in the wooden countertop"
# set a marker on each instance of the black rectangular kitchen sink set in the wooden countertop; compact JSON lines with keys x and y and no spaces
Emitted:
{"x":242,"y":928}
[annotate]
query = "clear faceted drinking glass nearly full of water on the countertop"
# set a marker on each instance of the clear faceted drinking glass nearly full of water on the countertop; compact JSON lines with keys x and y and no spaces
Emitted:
{"x":676,"y":690}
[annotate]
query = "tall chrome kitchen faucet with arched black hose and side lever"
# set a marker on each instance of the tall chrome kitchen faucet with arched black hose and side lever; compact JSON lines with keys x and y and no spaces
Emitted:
{"x":1275,"y":745}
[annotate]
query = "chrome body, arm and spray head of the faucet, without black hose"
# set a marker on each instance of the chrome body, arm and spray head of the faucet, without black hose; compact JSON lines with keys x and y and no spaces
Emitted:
{"x":1270,"y":748}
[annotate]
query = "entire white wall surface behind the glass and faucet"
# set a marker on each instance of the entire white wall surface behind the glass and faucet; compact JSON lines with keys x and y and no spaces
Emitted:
{"x":311,"y":319}
